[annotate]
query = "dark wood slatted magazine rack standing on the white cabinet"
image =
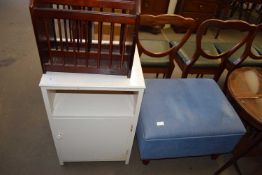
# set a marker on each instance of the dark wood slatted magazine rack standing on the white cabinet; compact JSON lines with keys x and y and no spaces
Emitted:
{"x":63,"y":31}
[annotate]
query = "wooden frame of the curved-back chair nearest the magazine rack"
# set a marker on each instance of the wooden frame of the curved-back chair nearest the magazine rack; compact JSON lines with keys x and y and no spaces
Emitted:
{"x":176,"y":20}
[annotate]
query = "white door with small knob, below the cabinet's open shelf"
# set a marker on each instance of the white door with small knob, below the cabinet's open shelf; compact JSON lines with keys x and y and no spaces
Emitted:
{"x":93,"y":139}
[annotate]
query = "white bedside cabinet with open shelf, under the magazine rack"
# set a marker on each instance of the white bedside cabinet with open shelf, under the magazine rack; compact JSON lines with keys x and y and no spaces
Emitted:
{"x":93,"y":117}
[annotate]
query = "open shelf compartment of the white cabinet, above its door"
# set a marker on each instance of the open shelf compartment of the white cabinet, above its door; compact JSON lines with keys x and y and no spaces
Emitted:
{"x":93,"y":103}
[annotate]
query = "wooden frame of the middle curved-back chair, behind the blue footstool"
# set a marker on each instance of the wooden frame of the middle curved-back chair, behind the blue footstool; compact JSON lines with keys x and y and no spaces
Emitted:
{"x":219,"y":24}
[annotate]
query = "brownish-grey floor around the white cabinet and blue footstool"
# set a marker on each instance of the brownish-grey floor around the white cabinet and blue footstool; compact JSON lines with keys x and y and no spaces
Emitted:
{"x":26,"y":145}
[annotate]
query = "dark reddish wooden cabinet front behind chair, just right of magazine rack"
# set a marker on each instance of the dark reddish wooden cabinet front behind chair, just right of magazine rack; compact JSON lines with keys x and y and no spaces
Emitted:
{"x":154,"y":7}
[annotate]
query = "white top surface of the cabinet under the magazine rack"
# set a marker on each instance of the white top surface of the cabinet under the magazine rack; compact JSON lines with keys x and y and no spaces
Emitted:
{"x":82,"y":81}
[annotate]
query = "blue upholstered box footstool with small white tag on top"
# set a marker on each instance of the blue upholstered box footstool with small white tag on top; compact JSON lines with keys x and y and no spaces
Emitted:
{"x":186,"y":117}
